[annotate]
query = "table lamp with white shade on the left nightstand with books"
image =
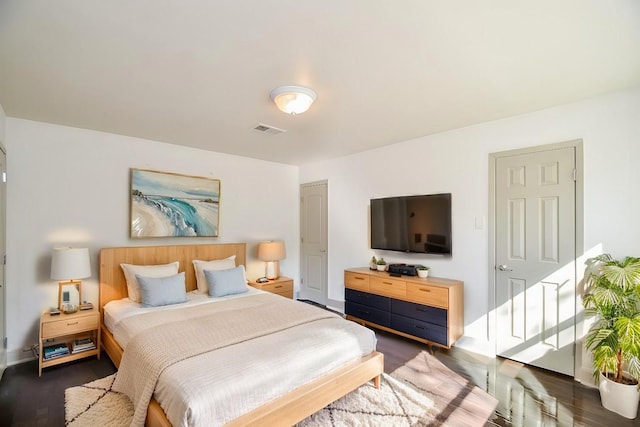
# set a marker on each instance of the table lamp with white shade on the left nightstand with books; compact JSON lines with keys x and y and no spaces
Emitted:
{"x":68,"y":266}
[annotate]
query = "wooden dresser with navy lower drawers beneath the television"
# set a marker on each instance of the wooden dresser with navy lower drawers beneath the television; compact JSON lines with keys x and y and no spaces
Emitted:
{"x":429,"y":310}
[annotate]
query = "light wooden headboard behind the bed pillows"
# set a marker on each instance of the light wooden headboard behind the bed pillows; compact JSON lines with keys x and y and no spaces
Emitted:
{"x":112,"y":281}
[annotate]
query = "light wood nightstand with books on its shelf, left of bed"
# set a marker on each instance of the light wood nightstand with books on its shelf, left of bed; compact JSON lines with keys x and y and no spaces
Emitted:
{"x":64,"y":329}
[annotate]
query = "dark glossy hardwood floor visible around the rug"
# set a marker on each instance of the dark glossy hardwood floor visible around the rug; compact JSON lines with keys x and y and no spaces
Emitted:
{"x":527,"y":396}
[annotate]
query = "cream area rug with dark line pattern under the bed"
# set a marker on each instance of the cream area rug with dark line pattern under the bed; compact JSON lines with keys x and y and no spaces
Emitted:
{"x":423,"y":392}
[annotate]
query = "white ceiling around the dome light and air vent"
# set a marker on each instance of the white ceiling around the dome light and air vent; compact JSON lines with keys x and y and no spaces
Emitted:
{"x":199,"y":73}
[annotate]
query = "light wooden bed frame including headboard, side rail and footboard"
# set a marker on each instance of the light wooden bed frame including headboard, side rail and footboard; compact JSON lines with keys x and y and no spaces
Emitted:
{"x":284,"y":411}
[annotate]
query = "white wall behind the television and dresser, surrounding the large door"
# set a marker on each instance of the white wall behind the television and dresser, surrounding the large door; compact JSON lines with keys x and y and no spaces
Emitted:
{"x":457,"y":162}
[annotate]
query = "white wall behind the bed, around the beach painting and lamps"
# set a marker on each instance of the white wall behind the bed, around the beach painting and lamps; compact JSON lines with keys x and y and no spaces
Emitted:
{"x":70,"y":186}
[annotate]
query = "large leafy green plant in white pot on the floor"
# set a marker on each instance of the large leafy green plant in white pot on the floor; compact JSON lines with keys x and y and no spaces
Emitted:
{"x":613,"y":295}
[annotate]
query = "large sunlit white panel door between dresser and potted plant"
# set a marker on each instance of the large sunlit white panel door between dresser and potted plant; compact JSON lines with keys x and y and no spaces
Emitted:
{"x":535,"y":258}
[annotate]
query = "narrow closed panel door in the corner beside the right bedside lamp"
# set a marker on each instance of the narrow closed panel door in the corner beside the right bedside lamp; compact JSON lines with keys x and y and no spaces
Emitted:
{"x":313,"y":242}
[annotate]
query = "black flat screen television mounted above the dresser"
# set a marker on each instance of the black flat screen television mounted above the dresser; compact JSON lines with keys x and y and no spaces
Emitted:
{"x":420,"y":224}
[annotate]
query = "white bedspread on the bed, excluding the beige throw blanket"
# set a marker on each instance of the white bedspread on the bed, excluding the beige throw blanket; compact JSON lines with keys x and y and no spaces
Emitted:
{"x":214,"y":388}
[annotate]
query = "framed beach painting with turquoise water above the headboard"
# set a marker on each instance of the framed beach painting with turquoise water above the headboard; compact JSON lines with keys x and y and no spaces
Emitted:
{"x":172,"y":205}
